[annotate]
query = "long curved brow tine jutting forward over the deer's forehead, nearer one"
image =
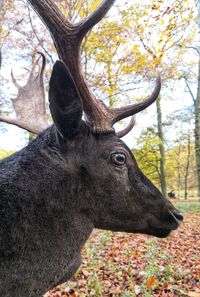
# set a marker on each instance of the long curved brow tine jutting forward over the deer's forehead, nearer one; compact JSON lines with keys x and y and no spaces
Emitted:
{"x":126,"y":111}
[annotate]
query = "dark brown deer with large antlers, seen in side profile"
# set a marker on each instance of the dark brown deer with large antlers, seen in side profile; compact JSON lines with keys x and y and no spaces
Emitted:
{"x":75,"y":176}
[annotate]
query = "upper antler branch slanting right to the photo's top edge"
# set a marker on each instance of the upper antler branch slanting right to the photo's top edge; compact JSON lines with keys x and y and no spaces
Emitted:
{"x":89,"y":22}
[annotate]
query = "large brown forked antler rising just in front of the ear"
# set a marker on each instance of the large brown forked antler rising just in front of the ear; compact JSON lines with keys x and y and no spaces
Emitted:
{"x":67,"y":38}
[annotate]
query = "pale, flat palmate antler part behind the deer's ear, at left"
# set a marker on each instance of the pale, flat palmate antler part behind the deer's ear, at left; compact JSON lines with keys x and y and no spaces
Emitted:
{"x":29,"y":105}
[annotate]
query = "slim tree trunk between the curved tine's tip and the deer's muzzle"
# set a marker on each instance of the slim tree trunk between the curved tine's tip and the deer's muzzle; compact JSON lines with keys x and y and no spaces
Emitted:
{"x":161,"y":149}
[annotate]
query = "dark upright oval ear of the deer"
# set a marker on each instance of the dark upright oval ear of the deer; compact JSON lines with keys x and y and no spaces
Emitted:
{"x":64,"y":101}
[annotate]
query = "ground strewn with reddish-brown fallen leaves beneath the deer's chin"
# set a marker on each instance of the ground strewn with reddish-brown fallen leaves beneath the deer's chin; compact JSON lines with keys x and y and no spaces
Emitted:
{"x":128,"y":265}
